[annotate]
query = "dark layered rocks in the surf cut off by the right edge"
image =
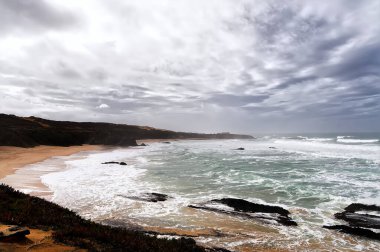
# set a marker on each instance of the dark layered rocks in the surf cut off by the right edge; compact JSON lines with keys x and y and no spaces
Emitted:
{"x":359,"y":222}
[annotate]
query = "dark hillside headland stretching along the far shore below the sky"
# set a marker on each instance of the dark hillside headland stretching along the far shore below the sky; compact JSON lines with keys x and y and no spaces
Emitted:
{"x":34,"y":131}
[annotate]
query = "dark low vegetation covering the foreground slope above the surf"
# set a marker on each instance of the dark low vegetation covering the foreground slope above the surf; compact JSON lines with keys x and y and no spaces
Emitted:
{"x":21,"y":209}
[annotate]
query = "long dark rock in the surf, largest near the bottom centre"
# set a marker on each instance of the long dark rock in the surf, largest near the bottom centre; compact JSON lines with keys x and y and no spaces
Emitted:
{"x":250,"y":210}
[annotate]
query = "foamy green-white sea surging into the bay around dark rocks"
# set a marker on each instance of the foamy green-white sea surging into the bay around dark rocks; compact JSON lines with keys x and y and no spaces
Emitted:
{"x":313,"y":176}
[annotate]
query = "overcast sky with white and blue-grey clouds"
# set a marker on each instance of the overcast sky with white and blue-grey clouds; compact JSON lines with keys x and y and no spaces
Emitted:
{"x":194,"y":65}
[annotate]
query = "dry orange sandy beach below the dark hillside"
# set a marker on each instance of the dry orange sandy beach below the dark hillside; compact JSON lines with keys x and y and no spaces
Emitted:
{"x":13,"y":158}
